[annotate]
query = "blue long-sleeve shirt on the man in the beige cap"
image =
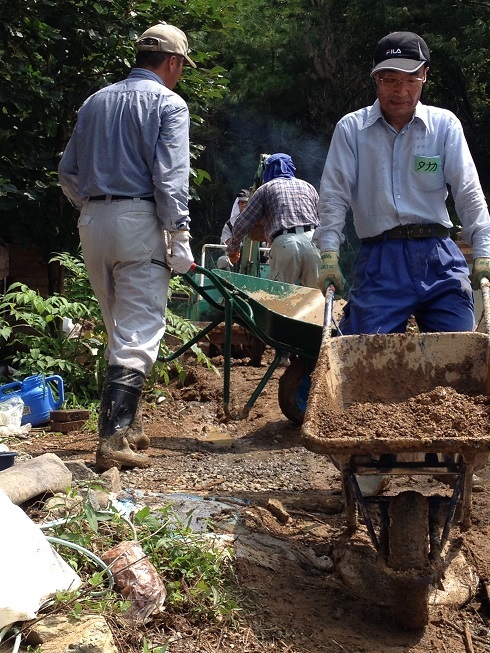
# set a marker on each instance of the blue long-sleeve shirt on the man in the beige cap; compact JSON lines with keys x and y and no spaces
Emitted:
{"x":131,"y":139}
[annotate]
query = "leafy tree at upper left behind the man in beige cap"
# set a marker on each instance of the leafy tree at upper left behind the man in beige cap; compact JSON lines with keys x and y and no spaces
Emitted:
{"x":53,"y":56}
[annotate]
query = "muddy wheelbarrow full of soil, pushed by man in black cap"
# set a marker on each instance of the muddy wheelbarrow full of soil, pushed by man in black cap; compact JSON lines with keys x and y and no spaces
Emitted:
{"x":358,"y":383}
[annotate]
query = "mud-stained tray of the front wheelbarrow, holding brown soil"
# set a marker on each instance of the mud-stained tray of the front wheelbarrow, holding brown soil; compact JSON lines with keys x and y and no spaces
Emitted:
{"x":389,"y":370}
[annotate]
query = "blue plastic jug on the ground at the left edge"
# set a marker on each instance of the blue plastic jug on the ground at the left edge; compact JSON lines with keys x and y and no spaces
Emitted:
{"x":37,"y":395}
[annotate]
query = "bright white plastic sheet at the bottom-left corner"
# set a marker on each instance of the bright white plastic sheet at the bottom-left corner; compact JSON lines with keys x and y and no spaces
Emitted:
{"x":32,"y":570}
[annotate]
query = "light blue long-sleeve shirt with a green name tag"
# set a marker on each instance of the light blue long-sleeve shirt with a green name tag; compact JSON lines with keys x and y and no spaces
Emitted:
{"x":392,"y":178}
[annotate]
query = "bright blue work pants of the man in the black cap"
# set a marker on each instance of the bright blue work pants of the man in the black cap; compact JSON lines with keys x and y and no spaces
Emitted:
{"x":394,"y":279}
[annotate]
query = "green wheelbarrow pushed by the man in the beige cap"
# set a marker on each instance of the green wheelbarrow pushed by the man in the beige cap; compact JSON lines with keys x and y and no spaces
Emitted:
{"x":286,"y":317}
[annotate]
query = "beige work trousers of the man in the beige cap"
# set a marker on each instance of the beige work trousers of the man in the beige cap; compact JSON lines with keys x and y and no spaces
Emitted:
{"x":124,"y":250}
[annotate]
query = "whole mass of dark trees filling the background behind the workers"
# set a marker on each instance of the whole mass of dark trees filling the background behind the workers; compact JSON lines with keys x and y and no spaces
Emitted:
{"x":273,"y":75}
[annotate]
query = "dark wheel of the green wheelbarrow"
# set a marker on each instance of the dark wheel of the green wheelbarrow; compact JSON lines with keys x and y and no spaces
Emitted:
{"x":294,"y":386}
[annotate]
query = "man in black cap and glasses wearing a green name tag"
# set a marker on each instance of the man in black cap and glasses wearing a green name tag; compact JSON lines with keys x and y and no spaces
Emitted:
{"x":392,"y":163}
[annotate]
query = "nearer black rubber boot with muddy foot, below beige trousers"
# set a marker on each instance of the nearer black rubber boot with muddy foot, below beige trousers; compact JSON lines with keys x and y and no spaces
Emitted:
{"x":119,"y":402}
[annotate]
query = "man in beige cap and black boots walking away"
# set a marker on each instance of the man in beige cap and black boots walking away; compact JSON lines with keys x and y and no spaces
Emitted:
{"x":126,"y":168}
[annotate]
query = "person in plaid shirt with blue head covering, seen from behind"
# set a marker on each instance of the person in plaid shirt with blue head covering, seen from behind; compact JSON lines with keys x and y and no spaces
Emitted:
{"x":286,"y":207}
